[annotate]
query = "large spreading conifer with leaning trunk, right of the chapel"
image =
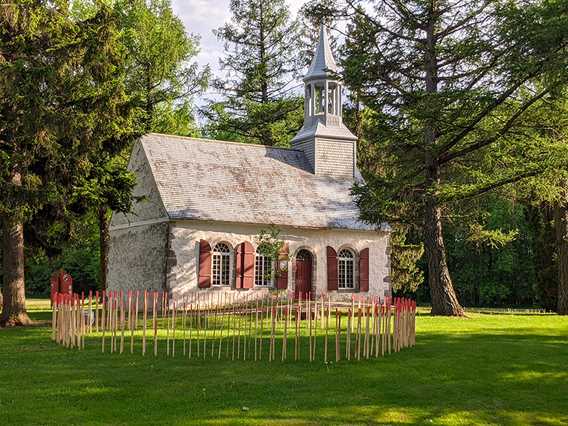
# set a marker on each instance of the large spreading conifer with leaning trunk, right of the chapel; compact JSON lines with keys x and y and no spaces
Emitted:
{"x":450,"y":83}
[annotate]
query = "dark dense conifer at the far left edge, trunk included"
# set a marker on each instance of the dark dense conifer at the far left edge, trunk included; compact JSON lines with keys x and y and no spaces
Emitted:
{"x":60,"y":79}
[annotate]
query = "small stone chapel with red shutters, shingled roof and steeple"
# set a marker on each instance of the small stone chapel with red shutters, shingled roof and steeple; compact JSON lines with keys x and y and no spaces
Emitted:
{"x":201,"y":205}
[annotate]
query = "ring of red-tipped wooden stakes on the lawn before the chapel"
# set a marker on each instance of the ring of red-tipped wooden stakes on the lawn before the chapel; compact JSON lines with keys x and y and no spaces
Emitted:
{"x":274,"y":327}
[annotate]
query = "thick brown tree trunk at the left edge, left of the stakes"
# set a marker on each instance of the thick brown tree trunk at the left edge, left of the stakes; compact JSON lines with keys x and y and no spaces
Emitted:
{"x":14,"y":294}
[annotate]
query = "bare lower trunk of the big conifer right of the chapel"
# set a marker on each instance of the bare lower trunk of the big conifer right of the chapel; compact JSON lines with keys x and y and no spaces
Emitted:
{"x":444,"y":299}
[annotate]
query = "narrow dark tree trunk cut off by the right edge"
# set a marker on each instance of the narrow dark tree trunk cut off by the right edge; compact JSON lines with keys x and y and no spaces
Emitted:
{"x":561,"y":225}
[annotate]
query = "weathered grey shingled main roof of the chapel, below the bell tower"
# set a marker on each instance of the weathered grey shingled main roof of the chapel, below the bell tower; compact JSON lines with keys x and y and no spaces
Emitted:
{"x":234,"y":182}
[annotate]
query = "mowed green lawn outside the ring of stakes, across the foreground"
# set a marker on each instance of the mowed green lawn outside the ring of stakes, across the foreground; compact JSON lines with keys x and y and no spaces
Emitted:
{"x":487,"y":369}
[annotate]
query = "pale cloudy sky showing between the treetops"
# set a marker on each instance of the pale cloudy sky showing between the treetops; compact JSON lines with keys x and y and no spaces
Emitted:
{"x":202,"y":16}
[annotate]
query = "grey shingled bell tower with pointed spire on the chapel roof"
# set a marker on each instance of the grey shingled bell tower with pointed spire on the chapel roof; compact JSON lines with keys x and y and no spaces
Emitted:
{"x":328,"y":144}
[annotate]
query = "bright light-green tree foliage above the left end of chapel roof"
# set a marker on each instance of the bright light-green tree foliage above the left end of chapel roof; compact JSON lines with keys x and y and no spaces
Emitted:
{"x":162,"y":74}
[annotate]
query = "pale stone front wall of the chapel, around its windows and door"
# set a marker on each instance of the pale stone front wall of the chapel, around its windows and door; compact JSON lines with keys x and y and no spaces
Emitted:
{"x":183,"y":254}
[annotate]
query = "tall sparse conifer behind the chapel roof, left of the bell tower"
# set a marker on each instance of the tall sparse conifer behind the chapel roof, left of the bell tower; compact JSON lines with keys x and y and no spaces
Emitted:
{"x":259,"y":101}
